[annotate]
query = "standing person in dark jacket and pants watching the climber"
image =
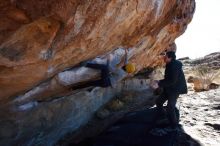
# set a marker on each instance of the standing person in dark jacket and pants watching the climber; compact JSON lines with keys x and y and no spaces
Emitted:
{"x":173,"y":85}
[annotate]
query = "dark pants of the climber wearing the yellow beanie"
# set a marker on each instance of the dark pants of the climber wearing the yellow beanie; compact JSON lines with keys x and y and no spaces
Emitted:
{"x":103,"y":82}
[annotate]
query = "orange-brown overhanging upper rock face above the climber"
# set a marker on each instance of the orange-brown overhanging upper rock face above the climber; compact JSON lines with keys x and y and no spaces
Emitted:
{"x":39,"y":39}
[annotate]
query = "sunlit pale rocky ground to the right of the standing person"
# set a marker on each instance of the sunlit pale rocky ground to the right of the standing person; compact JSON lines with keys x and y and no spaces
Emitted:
{"x":200,"y":116}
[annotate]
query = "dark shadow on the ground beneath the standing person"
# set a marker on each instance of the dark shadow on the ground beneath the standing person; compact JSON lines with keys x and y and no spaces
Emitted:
{"x":134,"y":129}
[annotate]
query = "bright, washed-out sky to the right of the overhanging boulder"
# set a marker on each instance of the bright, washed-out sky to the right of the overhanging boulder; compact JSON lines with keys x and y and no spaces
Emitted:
{"x":202,"y":36}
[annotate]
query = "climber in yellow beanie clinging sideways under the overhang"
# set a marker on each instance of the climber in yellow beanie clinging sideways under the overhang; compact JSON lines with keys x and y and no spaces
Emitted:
{"x":110,"y":74}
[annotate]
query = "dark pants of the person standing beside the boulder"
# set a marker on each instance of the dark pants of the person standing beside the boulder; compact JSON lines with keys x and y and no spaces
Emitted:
{"x":171,"y":105}
